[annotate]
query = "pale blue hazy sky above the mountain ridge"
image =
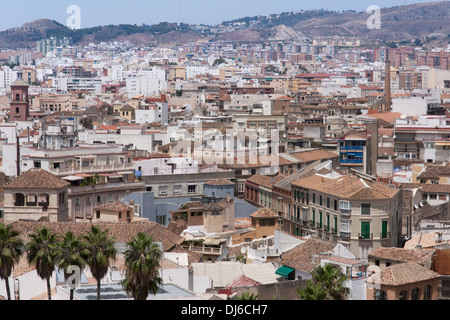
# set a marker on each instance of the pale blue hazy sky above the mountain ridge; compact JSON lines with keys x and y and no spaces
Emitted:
{"x":100,"y":12}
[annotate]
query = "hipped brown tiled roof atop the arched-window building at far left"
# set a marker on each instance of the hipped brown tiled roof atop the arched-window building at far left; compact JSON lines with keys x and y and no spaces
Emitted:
{"x":37,"y":178}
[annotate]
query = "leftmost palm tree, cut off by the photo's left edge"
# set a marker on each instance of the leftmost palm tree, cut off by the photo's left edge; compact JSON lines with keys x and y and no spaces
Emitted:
{"x":11,"y":249}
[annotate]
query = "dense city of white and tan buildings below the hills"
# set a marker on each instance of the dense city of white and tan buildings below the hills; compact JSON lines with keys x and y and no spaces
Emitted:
{"x":240,"y":169}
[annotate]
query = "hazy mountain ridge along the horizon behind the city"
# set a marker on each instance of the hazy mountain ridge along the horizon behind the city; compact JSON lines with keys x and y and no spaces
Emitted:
{"x":407,"y":23}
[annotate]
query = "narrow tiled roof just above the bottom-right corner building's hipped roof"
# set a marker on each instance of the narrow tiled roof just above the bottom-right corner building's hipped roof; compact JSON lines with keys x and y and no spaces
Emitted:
{"x":420,"y":256}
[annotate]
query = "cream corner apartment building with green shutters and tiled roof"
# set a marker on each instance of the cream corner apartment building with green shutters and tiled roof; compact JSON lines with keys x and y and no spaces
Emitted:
{"x":362,"y":215}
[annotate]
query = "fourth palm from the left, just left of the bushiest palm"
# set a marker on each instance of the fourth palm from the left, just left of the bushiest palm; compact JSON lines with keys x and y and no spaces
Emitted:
{"x":101,"y":249}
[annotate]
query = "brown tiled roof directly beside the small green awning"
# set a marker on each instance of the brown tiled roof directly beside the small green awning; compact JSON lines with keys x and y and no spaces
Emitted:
{"x":302,"y":256}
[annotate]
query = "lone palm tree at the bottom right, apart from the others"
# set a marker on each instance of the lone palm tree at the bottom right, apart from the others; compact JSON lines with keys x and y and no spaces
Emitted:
{"x":327,"y":283}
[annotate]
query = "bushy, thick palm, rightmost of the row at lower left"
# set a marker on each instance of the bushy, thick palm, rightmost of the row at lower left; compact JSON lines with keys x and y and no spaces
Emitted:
{"x":142,"y":260}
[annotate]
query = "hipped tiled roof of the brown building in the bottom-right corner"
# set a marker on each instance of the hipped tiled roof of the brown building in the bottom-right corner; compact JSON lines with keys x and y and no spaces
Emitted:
{"x":402,"y":274}
